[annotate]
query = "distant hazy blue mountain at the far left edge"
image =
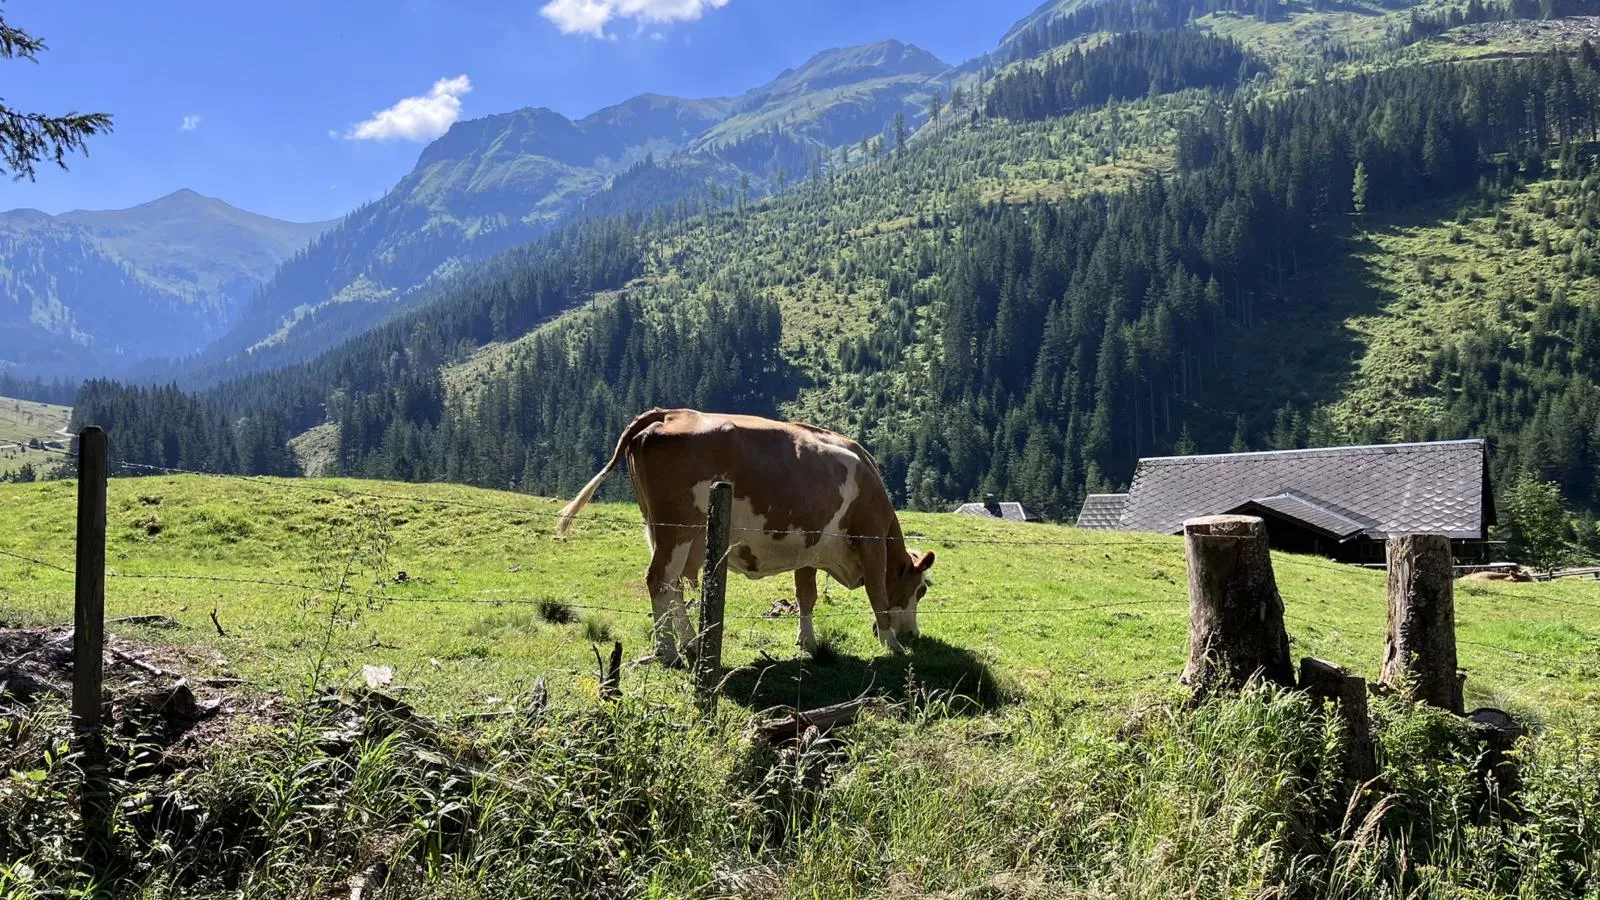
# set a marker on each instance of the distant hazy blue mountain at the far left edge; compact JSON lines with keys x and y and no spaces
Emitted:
{"x":100,"y":289}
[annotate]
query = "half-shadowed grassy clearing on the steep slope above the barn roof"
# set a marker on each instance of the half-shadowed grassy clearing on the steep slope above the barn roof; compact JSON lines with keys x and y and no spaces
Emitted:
{"x":1393,"y":294}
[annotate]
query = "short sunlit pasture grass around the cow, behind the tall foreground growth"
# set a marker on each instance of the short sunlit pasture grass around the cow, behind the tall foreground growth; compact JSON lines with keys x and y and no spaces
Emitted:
{"x":1009,"y":617}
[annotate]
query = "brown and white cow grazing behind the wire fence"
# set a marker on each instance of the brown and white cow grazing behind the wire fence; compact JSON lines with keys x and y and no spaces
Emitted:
{"x":804,"y":500}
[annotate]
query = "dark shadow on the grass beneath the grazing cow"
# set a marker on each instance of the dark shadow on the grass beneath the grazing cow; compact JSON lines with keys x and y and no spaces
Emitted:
{"x":932,"y":672}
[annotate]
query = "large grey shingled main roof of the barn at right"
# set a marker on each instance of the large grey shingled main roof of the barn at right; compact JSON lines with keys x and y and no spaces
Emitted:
{"x":1343,"y":492}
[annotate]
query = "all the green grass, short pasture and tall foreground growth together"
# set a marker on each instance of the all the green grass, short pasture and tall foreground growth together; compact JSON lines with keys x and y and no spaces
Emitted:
{"x":1081,"y":771}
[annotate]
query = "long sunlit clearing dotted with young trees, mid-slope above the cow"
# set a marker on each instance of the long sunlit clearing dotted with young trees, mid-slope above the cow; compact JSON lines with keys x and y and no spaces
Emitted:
{"x":799,"y":246}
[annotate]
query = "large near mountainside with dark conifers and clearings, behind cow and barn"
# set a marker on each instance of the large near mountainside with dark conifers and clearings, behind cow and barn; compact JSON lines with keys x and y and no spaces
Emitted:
{"x":1054,"y":278}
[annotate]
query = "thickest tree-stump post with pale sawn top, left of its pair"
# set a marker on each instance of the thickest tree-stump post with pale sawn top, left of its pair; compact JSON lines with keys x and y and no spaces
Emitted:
{"x":1236,"y":614}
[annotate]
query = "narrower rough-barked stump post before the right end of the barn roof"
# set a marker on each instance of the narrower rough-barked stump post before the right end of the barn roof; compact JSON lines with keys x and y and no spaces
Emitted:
{"x":1420,"y":651}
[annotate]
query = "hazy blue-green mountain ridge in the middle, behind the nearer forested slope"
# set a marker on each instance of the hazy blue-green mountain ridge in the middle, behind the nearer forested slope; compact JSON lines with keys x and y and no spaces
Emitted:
{"x":502,"y":182}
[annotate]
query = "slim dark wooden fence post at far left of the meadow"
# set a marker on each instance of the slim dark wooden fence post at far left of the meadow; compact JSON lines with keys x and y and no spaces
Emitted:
{"x":89,"y":641}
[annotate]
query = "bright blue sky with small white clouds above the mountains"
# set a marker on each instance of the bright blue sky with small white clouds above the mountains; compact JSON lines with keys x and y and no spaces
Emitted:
{"x":303,"y":110}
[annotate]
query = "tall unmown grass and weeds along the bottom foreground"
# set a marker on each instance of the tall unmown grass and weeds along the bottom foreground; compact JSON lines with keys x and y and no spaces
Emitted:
{"x":1236,"y":798}
